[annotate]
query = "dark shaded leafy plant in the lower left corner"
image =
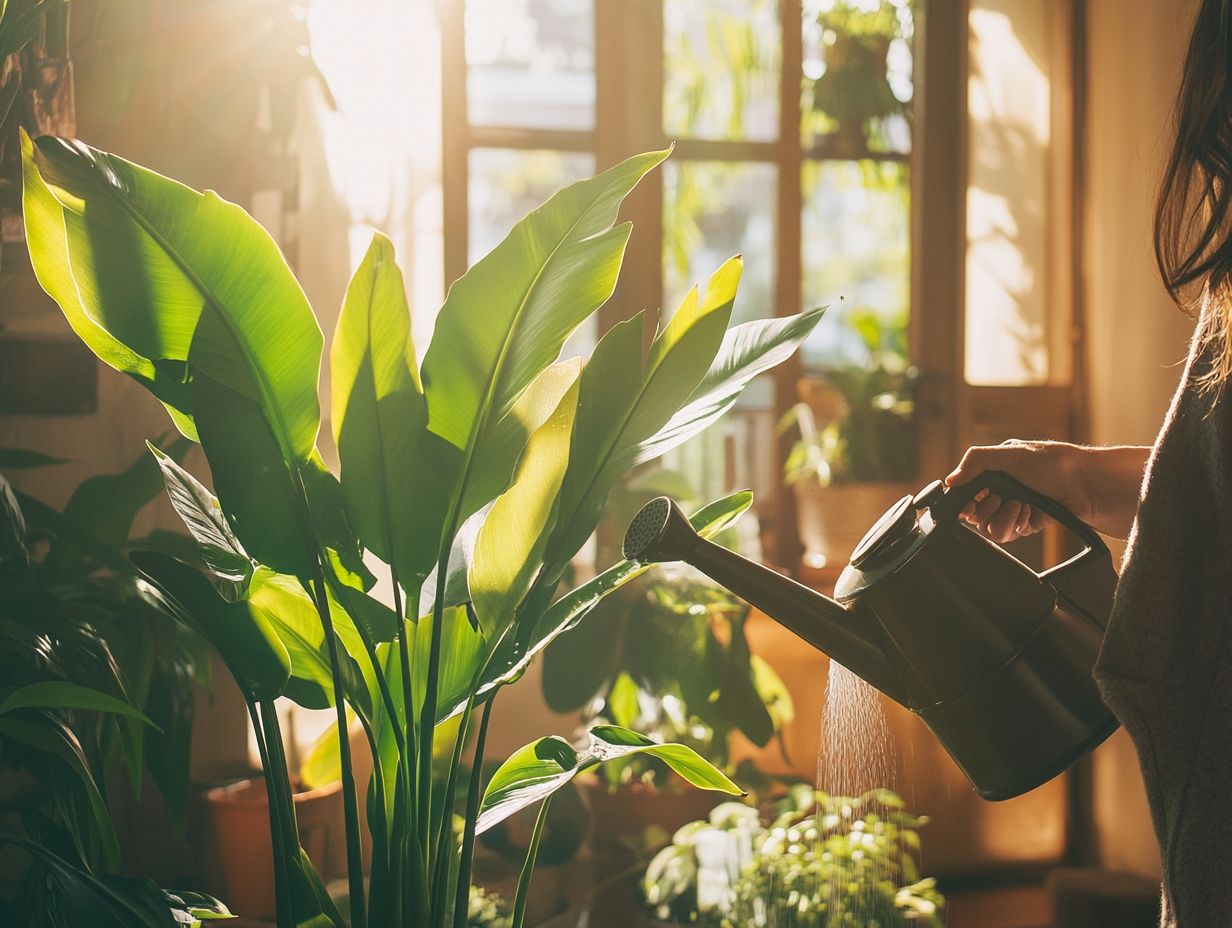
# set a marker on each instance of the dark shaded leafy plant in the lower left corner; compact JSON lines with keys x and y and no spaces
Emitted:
{"x":98,"y":680}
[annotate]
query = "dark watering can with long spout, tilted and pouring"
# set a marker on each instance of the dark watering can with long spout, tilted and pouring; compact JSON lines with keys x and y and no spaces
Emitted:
{"x":994,"y":656}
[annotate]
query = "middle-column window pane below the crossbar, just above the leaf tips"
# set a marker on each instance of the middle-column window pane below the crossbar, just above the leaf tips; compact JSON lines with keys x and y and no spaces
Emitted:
{"x":711,"y":211}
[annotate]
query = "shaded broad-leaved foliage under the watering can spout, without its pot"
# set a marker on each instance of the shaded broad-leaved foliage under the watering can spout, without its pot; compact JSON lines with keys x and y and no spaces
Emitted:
{"x":668,"y":656}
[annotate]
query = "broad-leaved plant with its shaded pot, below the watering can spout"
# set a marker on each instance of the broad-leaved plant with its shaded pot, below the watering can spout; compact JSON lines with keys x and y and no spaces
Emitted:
{"x":667,"y":656}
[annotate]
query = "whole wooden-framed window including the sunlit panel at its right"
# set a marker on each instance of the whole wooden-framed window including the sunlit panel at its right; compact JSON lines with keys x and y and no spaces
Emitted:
{"x":798,"y":146}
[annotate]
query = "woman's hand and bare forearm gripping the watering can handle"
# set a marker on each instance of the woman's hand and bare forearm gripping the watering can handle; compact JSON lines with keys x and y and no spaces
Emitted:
{"x":1098,"y":485}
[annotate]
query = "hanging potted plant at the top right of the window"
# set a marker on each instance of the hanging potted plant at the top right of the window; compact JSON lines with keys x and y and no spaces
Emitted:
{"x":854,"y":91}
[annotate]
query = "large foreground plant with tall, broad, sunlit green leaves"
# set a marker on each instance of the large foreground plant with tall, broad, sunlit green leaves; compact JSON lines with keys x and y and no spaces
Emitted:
{"x":475,"y":479}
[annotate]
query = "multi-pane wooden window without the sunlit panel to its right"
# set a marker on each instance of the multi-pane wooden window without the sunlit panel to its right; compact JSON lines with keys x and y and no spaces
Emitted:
{"x":816,"y":198}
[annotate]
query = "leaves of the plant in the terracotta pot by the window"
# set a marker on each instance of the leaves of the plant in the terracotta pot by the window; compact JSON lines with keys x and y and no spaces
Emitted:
{"x":873,"y":437}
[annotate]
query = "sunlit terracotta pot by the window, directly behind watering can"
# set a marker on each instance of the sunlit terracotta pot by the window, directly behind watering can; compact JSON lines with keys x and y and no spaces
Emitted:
{"x":833,"y":519}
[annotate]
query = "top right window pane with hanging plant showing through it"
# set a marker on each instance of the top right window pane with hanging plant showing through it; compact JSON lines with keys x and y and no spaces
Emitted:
{"x":859,"y":84}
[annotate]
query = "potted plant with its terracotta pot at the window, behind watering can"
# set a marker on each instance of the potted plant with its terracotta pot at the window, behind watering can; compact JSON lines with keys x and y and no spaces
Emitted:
{"x":856,"y":449}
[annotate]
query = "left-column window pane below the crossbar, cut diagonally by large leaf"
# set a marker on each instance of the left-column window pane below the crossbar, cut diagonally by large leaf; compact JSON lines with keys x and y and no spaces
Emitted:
{"x":506,"y":185}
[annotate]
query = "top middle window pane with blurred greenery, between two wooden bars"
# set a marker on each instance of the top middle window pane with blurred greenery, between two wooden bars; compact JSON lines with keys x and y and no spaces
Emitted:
{"x":721,"y":70}
